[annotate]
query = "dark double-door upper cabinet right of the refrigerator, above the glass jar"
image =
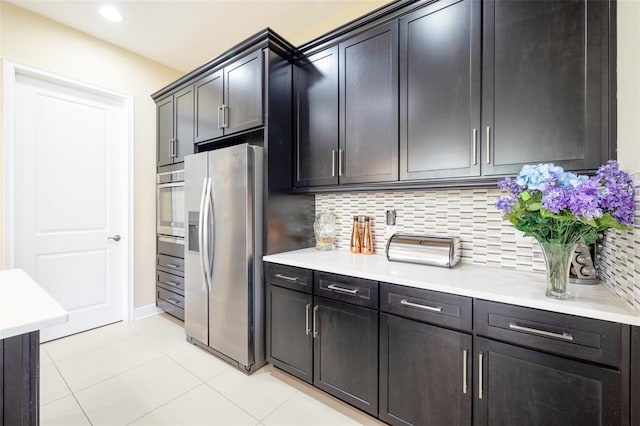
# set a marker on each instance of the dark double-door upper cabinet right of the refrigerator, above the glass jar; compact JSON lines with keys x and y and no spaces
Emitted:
{"x":347,"y":111}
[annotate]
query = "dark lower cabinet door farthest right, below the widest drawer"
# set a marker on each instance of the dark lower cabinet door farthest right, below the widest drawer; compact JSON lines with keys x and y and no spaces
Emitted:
{"x":525,"y":387}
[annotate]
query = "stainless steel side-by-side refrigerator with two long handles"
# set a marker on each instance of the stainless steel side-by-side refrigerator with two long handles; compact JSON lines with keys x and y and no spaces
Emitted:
{"x":223,"y":254}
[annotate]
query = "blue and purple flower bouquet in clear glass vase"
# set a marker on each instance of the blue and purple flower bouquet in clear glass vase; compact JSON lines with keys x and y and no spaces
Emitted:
{"x":559,"y":209}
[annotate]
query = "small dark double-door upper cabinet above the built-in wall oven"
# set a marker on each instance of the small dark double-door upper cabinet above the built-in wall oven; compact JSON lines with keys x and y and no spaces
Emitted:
{"x":175,"y":127}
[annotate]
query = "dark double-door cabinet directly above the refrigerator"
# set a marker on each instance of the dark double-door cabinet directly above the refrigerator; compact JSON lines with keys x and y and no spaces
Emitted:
{"x":229,"y":100}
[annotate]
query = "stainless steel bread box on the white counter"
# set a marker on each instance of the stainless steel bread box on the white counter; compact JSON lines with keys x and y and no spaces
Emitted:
{"x":425,"y":250}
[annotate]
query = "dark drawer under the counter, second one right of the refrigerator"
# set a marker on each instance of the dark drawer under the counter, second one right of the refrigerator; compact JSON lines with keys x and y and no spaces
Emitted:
{"x":357,"y":291}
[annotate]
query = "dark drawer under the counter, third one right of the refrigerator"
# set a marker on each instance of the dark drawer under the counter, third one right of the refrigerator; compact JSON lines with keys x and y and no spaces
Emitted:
{"x":425,"y":305}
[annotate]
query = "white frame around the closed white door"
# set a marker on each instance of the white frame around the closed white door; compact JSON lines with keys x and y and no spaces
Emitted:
{"x":9,"y":72}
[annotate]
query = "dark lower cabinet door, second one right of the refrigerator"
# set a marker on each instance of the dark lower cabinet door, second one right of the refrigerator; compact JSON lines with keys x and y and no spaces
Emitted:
{"x":346,"y":353}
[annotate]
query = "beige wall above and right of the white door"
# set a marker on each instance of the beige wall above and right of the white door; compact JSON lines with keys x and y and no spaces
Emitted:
{"x":31,"y":40}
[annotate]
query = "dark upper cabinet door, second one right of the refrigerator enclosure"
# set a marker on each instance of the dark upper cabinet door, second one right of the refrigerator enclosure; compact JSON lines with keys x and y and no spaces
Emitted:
{"x":369,"y":106}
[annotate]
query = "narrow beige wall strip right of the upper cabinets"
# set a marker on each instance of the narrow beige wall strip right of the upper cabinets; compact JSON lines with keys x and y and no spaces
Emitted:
{"x":629,"y":85}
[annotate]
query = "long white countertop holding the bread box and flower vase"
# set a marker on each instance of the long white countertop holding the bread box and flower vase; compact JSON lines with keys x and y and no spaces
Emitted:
{"x":482,"y":282}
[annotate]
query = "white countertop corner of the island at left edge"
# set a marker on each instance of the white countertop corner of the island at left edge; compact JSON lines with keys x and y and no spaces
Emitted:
{"x":25,"y":306}
